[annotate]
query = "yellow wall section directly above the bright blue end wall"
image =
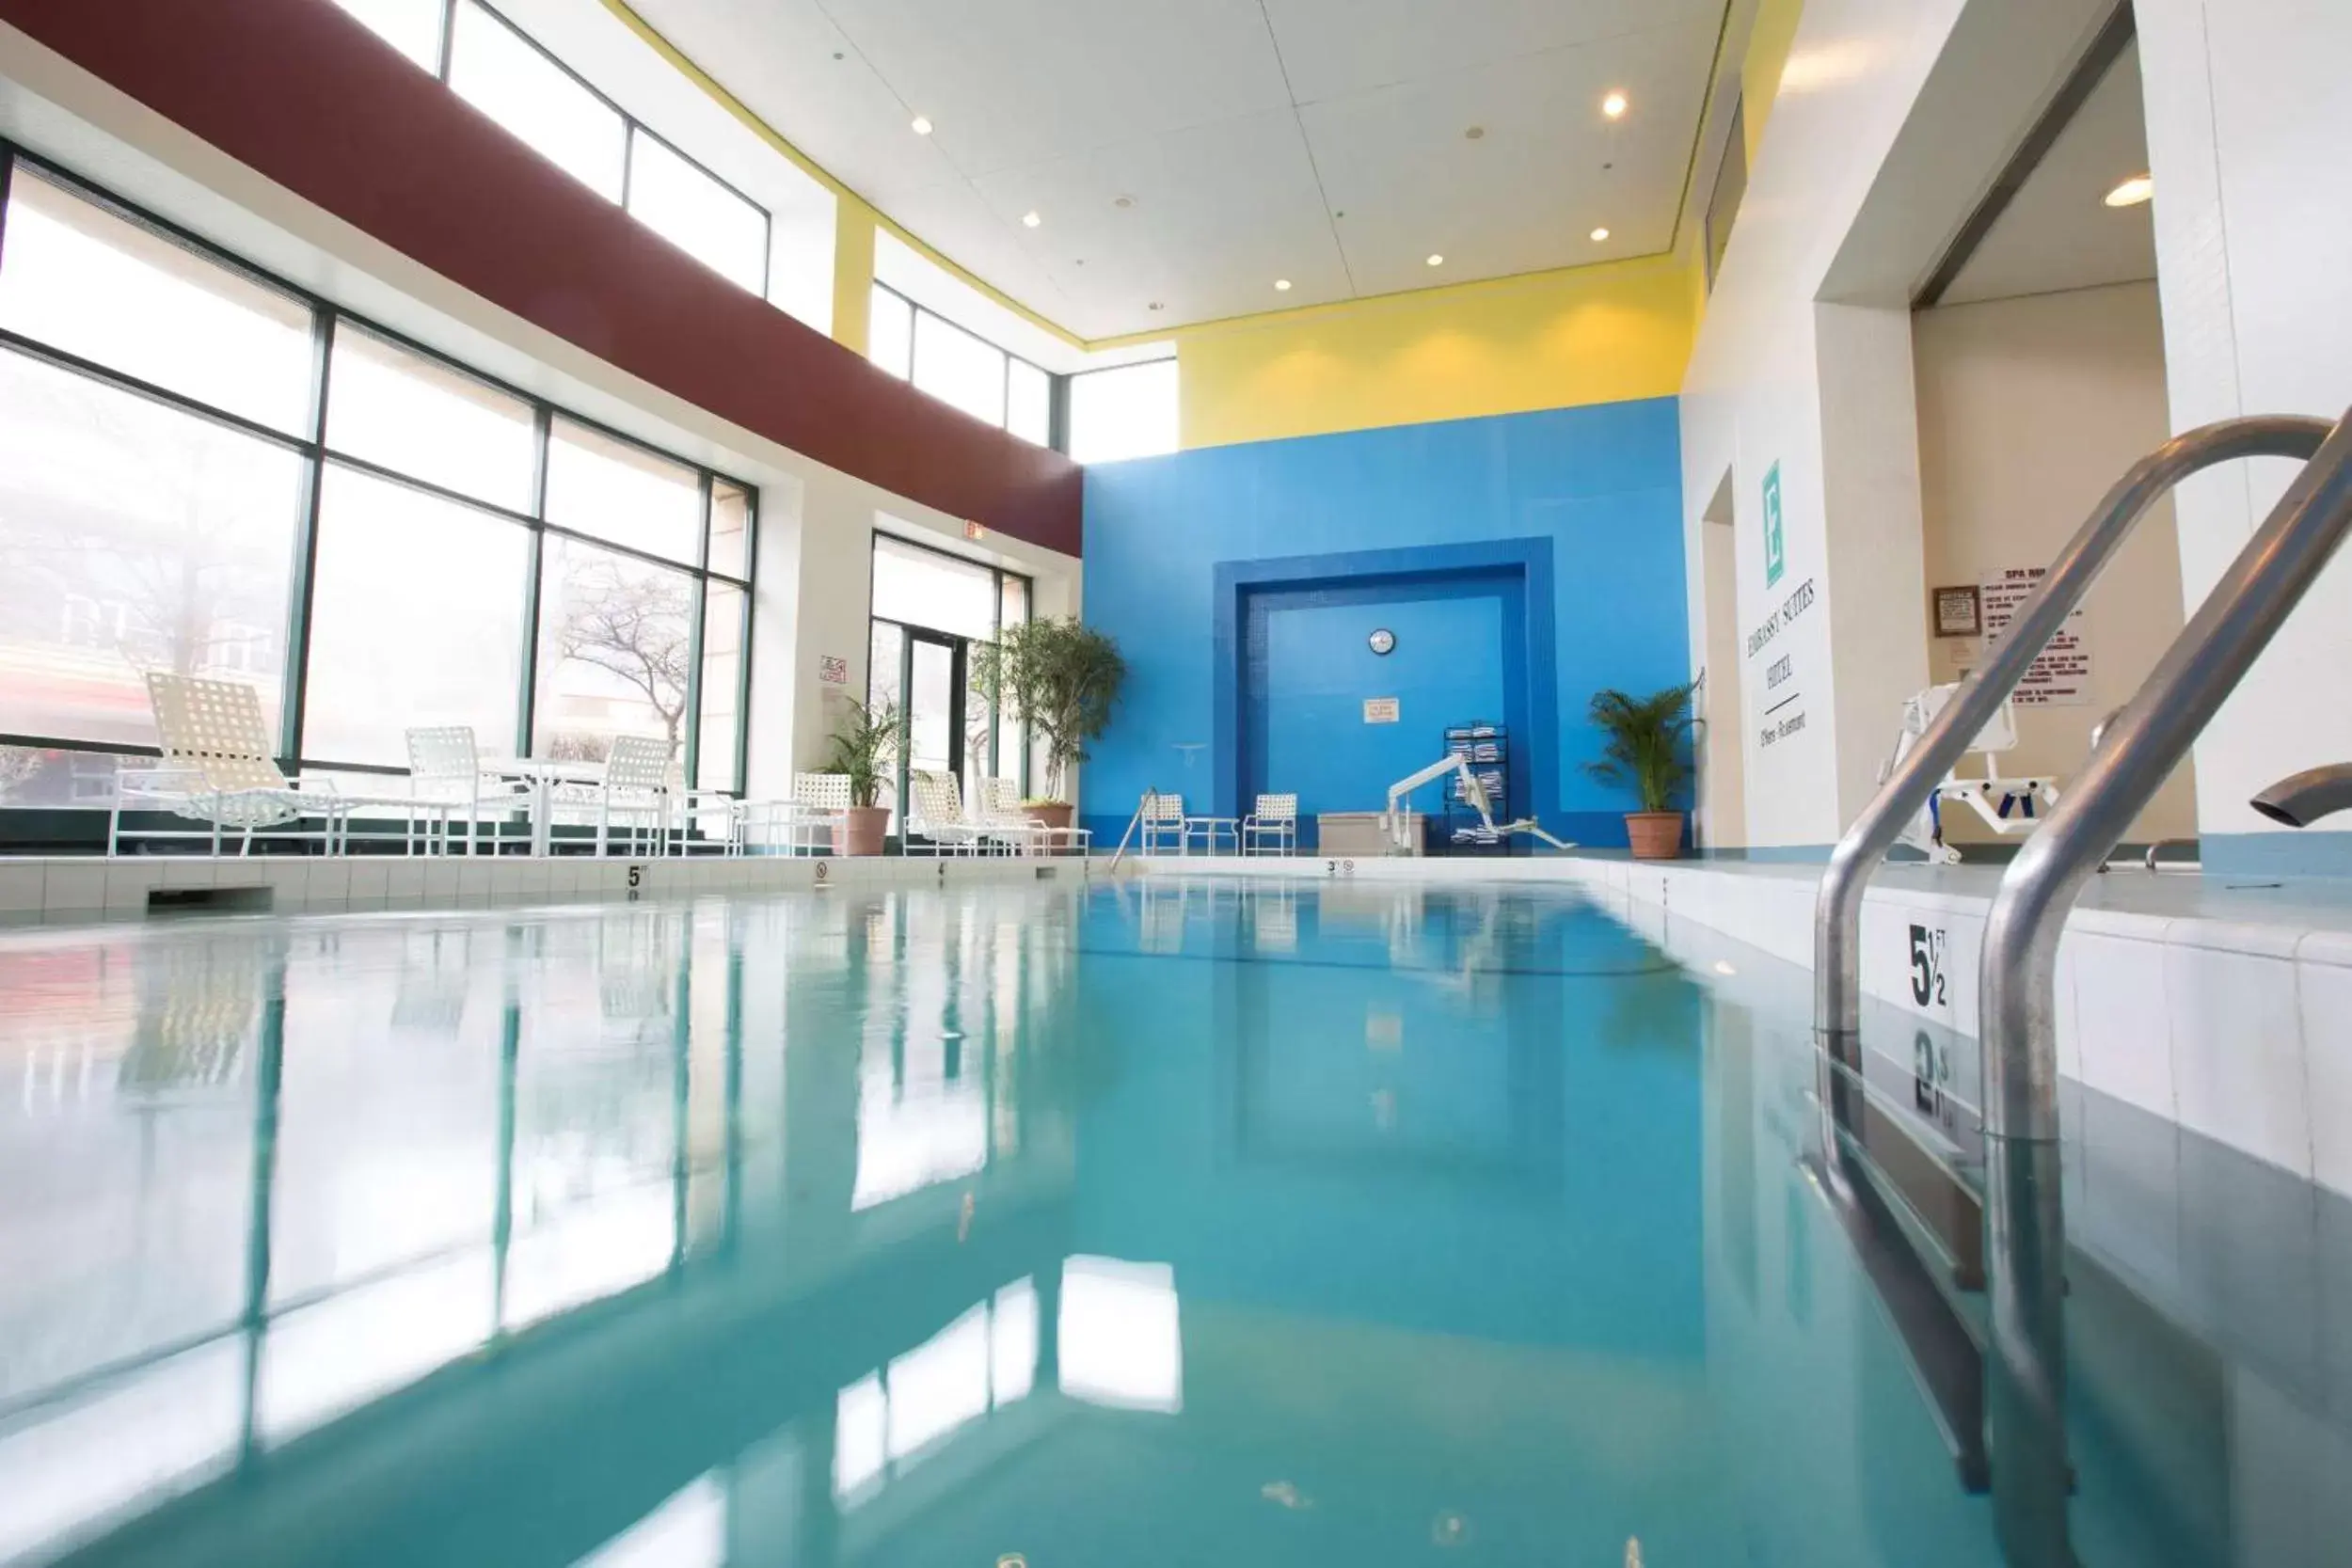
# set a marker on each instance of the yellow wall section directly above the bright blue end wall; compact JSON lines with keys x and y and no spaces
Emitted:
{"x":1539,"y":342}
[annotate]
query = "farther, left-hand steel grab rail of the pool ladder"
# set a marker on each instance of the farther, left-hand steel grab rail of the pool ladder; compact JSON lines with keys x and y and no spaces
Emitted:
{"x":1838,"y":916}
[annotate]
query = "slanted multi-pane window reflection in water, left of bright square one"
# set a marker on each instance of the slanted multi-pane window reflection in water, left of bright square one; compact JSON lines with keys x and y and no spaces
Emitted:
{"x":982,"y":1362}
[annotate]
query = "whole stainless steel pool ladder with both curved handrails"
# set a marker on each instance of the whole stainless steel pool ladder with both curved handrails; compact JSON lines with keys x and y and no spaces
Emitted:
{"x":2024,"y":1402}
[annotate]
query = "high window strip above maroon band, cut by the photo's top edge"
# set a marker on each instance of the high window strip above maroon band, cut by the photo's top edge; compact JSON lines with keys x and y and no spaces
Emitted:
{"x":556,"y":114}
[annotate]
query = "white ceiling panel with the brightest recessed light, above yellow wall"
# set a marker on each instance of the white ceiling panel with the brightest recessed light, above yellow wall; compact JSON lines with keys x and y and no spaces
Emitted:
{"x":1542,"y":177}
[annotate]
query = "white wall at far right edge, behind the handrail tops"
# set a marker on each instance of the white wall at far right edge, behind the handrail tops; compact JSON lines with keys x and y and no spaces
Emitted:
{"x":2250,"y":116}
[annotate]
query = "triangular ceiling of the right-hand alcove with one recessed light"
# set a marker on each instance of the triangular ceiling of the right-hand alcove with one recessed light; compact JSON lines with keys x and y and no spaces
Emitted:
{"x":2059,"y":232}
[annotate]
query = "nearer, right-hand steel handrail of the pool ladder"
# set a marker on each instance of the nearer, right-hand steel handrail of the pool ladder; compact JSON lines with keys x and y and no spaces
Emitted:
{"x":2017,"y":1012}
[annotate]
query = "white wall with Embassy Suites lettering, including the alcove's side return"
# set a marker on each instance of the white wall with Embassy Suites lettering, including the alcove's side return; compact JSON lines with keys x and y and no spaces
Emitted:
{"x":1892,"y":121}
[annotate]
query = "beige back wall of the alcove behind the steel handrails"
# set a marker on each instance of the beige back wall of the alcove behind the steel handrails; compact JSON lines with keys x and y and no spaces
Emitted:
{"x":2029,"y":413}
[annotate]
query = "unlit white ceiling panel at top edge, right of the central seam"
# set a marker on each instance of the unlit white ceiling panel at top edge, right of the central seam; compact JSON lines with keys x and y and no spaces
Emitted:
{"x":1335,"y":48}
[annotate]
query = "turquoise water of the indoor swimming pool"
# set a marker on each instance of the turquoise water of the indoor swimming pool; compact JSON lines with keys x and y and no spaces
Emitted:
{"x":1045,"y":1226}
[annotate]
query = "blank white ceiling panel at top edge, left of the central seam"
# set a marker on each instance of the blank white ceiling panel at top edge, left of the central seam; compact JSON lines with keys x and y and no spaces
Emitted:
{"x":1020,"y":81}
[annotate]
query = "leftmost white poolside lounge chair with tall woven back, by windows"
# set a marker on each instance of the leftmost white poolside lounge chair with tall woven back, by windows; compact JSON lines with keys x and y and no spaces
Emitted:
{"x":218,"y":768}
